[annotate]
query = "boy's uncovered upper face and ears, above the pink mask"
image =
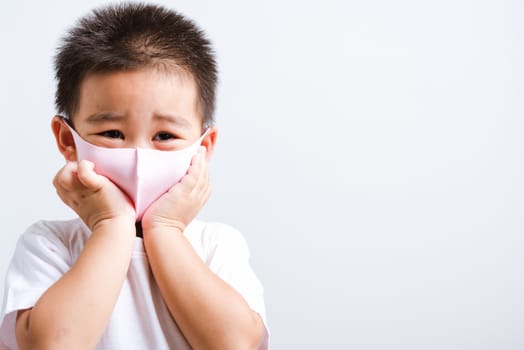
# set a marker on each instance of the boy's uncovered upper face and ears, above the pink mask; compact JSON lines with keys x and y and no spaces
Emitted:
{"x":143,"y":108}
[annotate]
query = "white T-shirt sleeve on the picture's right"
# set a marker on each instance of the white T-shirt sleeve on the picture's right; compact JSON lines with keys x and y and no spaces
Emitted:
{"x":228,"y":257}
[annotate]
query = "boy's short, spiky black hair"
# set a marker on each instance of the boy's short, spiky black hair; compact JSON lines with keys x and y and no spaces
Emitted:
{"x":131,"y":36}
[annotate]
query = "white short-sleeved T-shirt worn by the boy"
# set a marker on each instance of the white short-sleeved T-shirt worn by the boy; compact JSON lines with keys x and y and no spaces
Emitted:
{"x":140,"y":319}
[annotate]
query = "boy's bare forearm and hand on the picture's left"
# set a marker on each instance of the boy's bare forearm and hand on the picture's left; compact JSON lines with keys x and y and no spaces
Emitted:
{"x":73,"y":312}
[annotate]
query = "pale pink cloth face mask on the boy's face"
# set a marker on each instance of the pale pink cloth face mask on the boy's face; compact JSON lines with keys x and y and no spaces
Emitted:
{"x":143,"y":174}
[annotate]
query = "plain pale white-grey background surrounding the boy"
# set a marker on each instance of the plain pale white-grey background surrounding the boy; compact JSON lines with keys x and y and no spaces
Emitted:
{"x":371,"y":152}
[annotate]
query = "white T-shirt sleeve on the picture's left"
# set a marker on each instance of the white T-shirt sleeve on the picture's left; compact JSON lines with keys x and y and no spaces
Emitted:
{"x":39,"y":260}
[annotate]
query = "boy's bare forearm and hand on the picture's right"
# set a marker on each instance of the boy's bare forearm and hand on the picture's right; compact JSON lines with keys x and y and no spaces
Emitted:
{"x":210,"y":313}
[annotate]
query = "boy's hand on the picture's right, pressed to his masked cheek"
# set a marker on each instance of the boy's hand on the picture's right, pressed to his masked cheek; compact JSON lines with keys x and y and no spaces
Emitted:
{"x":177,"y":207}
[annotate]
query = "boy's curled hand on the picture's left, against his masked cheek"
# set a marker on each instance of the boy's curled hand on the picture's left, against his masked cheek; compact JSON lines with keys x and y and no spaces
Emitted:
{"x":92,"y":196}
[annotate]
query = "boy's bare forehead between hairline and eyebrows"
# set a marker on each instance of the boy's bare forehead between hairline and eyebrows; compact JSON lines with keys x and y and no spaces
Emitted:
{"x":139,"y":92}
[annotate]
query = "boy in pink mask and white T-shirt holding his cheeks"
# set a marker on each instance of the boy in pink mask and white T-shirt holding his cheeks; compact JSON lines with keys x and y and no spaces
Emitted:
{"x":135,"y":79}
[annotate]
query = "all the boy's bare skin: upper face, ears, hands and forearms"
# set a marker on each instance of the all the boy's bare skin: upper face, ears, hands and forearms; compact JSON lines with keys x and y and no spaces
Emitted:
{"x":144,"y":108}
